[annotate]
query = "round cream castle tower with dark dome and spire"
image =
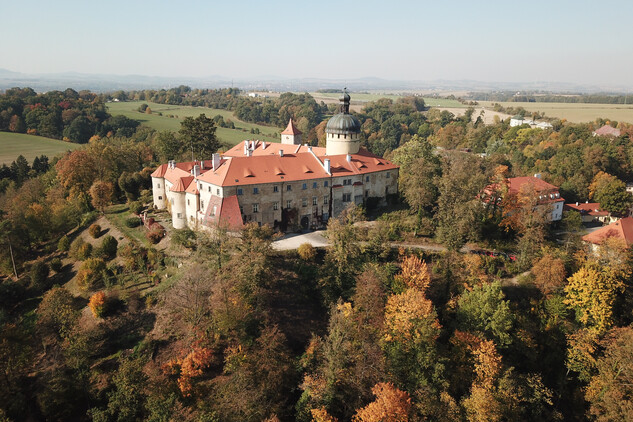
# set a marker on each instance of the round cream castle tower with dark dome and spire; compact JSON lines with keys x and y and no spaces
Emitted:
{"x":342,"y":133}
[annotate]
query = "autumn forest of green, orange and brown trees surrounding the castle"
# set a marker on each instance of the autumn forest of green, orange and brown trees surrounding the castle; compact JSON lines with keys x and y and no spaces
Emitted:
{"x":217,"y":327}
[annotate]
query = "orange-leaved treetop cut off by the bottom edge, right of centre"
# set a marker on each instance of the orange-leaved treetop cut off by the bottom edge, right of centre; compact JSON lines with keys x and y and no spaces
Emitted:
{"x":391,"y":405}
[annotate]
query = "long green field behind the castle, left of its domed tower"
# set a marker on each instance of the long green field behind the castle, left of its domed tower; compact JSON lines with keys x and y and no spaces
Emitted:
{"x":164,"y":122}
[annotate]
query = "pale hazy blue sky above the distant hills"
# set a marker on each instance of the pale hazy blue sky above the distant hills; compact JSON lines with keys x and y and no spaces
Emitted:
{"x":564,"y":41}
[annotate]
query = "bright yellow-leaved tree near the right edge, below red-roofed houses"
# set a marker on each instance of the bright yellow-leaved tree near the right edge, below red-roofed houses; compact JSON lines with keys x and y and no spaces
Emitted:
{"x":591,"y":293}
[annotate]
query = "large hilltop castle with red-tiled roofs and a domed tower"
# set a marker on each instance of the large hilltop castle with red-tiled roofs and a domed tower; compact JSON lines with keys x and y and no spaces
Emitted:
{"x":283,"y":184}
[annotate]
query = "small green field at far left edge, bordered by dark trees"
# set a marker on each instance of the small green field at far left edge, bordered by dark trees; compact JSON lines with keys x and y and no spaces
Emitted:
{"x":14,"y":144}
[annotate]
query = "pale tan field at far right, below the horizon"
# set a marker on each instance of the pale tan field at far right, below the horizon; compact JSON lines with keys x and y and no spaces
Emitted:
{"x":575,"y":112}
